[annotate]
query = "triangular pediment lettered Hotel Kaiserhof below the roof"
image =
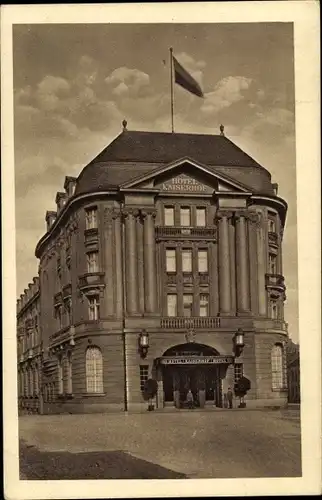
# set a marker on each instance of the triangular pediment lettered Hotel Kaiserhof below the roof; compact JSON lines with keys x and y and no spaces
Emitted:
{"x":185,"y":176}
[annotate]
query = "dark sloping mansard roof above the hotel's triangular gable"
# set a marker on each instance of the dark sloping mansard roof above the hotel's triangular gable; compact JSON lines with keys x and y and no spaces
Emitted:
{"x":135,"y":153}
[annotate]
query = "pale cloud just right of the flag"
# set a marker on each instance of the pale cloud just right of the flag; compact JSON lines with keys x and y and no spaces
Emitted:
{"x":228,"y":91}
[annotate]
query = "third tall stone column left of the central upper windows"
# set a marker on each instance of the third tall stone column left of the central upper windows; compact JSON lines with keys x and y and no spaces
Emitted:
{"x":118,"y":263}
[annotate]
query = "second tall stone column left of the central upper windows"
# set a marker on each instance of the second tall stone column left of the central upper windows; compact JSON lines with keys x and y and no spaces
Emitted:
{"x":131,"y":275}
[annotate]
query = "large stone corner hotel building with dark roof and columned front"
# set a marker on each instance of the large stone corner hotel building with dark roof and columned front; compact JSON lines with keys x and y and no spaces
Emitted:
{"x":163,"y":248}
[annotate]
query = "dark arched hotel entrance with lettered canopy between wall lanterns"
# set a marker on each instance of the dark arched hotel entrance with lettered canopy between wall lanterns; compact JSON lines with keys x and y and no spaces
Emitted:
{"x":204,"y":380}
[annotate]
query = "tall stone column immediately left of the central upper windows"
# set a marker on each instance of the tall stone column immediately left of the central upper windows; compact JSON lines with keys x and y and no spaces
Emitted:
{"x":150,"y":286}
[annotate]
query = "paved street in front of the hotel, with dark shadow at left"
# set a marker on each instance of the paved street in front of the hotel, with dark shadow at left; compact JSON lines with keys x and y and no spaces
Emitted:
{"x":192,"y":444}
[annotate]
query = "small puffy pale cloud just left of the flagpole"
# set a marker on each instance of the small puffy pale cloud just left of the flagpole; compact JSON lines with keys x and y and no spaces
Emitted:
{"x":127,"y":81}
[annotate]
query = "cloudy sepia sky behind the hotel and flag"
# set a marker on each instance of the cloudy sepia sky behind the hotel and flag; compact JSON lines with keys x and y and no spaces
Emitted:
{"x":74,"y":84}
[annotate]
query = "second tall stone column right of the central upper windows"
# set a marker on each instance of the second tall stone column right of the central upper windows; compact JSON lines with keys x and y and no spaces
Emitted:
{"x":242,"y":268}
